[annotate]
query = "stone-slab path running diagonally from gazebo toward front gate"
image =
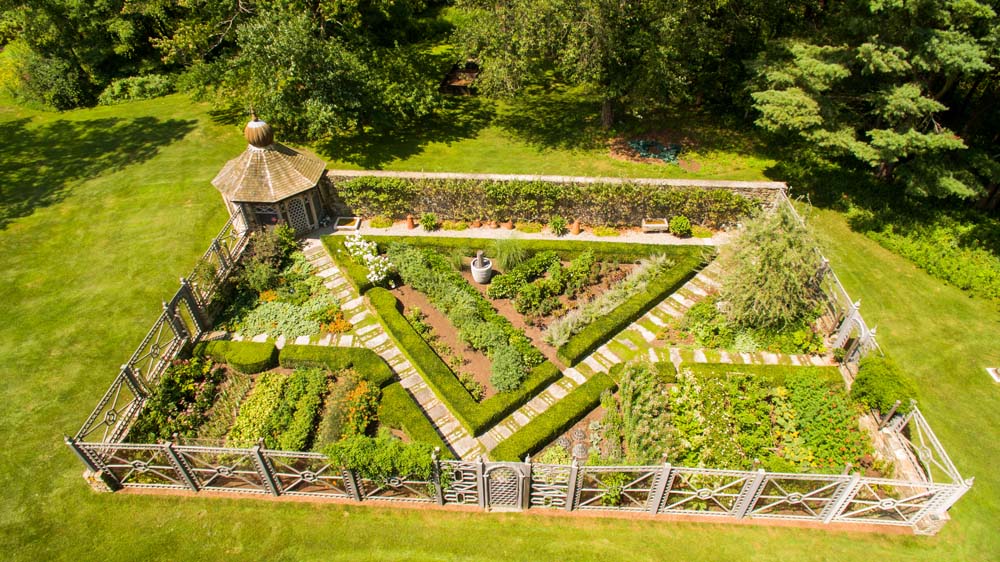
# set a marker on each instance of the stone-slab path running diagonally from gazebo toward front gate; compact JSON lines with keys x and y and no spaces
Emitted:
{"x":368,"y":332}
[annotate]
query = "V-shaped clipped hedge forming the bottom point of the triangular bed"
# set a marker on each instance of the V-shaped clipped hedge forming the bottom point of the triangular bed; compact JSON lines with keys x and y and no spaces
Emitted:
{"x":475,"y":417}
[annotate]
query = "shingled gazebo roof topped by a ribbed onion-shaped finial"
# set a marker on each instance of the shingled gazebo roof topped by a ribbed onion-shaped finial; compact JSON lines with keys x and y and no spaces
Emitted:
{"x":267,"y":172}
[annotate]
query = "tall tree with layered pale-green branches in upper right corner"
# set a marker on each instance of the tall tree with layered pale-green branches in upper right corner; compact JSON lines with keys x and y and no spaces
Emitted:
{"x":887,"y":83}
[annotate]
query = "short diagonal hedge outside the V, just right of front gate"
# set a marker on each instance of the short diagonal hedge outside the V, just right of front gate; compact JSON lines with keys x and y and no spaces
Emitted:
{"x":553,"y":422}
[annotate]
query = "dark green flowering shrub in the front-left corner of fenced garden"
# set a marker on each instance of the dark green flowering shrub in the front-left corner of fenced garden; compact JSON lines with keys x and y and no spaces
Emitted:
{"x":178,"y":404}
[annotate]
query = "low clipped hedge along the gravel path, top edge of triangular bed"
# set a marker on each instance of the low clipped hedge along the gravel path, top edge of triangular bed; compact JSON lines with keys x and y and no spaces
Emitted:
{"x":567,"y":249}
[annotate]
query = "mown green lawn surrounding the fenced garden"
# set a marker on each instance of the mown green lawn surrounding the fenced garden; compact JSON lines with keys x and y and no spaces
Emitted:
{"x":104,"y":208}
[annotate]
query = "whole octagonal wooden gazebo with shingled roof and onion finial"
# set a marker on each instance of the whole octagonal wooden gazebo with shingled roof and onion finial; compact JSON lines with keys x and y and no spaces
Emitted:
{"x":272,"y":183}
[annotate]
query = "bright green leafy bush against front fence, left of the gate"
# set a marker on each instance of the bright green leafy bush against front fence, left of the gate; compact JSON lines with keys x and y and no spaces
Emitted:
{"x":383,"y":457}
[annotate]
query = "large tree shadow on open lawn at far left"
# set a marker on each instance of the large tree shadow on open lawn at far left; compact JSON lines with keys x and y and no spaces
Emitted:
{"x":41,"y":164}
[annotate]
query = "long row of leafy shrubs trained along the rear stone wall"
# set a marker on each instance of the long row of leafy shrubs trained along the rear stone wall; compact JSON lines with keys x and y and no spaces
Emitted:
{"x":608,"y":204}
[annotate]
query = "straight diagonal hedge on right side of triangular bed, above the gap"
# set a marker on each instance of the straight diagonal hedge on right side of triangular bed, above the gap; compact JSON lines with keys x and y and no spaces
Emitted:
{"x":597,"y":333}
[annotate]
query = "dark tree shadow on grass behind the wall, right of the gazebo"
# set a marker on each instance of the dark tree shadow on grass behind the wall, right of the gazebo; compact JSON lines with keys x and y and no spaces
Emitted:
{"x":459,"y":118}
